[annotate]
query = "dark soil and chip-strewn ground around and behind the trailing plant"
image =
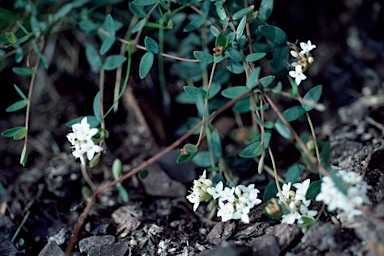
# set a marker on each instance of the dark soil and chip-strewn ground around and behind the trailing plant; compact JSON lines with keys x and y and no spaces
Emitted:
{"x":41,"y":202}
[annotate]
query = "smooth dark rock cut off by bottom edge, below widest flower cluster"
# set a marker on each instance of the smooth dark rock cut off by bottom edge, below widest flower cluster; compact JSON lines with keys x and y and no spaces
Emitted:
{"x":228,"y":249}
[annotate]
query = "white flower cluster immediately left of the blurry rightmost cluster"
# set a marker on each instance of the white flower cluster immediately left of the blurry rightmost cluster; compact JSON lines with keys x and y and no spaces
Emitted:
{"x":298,"y":204}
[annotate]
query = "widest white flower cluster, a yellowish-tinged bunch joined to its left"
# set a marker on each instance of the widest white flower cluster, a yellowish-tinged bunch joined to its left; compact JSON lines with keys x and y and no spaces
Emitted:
{"x":234,"y":203}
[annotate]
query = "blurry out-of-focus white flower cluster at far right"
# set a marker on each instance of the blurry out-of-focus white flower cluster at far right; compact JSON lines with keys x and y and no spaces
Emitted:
{"x":335,"y":199}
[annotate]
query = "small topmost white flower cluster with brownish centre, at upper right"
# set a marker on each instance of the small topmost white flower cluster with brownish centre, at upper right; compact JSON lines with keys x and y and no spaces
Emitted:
{"x":304,"y":61}
